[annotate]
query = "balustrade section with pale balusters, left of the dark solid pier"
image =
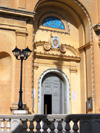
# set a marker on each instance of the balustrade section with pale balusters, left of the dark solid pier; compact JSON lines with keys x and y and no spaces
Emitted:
{"x":36,"y":123}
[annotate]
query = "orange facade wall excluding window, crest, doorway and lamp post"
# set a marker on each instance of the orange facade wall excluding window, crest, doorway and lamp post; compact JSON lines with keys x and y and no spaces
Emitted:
{"x":18,"y":25}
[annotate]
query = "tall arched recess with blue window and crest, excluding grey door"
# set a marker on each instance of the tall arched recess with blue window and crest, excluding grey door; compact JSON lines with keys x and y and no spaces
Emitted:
{"x":62,"y":39}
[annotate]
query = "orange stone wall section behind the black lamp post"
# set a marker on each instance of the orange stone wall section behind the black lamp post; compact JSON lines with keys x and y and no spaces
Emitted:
{"x":14,"y":31}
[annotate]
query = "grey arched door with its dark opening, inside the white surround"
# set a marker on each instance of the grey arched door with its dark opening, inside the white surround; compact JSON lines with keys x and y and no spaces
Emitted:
{"x":53,"y":94}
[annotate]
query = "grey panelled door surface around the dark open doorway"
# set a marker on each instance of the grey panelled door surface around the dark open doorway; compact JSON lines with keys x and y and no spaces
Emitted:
{"x":52,"y":85}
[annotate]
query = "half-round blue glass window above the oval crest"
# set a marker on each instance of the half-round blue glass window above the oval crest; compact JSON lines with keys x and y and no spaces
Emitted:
{"x":53,"y":22}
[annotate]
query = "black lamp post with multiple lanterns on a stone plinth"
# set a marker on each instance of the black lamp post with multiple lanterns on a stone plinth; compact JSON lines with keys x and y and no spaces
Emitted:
{"x":21,"y":55}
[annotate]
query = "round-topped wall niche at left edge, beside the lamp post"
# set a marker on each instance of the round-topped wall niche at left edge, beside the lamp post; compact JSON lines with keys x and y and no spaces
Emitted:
{"x":5,"y":82}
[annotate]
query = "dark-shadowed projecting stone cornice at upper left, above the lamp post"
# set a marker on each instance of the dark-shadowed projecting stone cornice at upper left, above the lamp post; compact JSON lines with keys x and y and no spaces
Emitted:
{"x":16,"y":12}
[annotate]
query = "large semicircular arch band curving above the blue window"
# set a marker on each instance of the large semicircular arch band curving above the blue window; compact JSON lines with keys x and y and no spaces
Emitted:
{"x":79,"y":9}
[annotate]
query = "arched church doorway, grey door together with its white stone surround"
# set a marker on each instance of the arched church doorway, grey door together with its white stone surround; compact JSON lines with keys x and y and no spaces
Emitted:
{"x":53,"y":92}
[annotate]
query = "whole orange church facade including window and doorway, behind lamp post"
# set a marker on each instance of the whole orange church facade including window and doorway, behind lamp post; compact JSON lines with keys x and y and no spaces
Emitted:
{"x":62,"y":74}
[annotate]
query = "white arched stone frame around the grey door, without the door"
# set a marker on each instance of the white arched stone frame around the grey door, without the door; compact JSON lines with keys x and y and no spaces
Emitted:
{"x":66,"y":90}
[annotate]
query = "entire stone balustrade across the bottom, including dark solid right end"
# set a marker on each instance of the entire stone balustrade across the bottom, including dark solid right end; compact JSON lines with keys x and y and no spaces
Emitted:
{"x":50,"y":123}
